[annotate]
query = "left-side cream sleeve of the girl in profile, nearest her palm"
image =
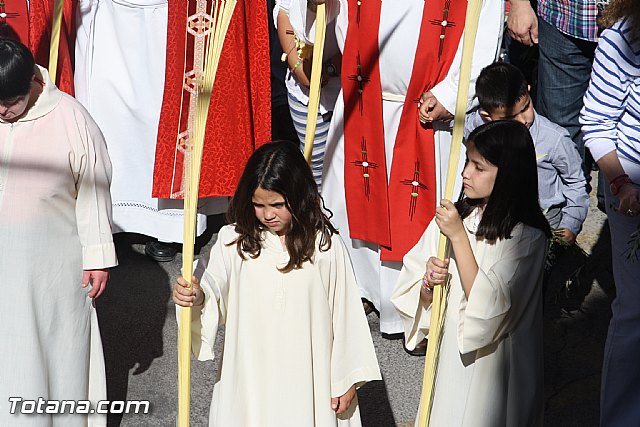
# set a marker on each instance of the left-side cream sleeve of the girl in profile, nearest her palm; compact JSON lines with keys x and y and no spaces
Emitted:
{"x":406,"y":295}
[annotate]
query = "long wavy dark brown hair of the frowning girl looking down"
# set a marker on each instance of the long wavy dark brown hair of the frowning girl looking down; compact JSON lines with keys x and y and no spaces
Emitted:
{"x":280,"y":167}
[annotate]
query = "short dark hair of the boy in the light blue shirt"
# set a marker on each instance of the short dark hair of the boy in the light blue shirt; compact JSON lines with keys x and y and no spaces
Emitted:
{"x":500,"y":85}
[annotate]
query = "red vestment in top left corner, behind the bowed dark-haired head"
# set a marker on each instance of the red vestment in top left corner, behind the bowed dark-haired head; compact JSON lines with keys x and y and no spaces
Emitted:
{"x":33,"y":29}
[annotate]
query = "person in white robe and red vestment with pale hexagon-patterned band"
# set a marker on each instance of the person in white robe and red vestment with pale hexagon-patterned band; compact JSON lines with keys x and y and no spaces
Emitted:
{"x":134,"y":73}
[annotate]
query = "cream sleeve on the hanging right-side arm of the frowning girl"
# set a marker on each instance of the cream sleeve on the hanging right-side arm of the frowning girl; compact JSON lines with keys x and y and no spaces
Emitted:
{"x":353,"y":358}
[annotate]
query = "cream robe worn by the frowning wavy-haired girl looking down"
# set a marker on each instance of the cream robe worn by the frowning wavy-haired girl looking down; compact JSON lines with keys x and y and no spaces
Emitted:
{"x":292,"y":340}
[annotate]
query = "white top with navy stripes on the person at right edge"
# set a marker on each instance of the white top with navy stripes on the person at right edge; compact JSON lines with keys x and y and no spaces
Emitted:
{"x":610,"y":117}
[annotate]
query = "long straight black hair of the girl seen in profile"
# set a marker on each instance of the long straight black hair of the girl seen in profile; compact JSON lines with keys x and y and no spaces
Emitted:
{"x":507,"y":144}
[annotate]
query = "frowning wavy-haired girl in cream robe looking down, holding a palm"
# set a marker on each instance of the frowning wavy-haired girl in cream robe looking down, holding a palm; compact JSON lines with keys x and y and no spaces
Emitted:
{"x":296,"y":340}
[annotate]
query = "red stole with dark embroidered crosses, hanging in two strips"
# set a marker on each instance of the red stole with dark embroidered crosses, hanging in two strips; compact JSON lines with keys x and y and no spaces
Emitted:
{"x":393,"y":214}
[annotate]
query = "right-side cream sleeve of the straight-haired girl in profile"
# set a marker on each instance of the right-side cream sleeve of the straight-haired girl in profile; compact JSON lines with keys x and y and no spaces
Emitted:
{"x":501,"y":292}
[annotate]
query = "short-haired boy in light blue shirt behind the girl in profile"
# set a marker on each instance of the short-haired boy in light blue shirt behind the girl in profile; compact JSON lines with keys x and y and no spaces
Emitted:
{"x":503,"y":93}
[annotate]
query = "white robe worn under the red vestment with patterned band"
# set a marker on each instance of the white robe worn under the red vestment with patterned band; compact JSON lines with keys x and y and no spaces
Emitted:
{"x":119,"y":78}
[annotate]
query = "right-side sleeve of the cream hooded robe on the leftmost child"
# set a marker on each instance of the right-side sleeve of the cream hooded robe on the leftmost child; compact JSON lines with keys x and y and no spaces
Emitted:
{"x":92,"y":167}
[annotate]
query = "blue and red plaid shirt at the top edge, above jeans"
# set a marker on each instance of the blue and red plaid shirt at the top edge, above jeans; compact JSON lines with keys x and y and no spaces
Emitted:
{"x":576,"y":18}
